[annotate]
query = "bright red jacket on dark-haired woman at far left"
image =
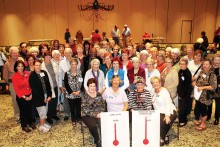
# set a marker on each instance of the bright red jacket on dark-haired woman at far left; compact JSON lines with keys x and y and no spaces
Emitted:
{"x":21,"y":84}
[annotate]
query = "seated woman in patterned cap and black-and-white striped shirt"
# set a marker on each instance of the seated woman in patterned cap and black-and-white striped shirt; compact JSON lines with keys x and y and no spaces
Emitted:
{"x":140,"y":98}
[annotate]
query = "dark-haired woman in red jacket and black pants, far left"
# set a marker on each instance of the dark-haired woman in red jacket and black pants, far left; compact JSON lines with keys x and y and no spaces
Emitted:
{"x":23,"y":95}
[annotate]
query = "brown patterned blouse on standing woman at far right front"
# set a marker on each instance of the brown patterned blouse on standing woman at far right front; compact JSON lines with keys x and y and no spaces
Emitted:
{"x":202,"y":80}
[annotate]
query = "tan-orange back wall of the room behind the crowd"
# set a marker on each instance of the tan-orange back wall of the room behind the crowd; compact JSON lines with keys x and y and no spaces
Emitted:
{"x":23,"y":20}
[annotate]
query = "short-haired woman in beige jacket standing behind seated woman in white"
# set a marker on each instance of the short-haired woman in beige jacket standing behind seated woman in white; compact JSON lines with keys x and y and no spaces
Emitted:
{"x":169,"y":78}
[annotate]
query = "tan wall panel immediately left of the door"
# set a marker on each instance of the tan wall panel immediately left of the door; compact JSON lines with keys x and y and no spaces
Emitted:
{"x":174,"y":21}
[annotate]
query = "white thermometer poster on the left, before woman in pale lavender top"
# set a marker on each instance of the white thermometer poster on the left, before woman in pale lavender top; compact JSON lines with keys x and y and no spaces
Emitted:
{"x":115,"y":129}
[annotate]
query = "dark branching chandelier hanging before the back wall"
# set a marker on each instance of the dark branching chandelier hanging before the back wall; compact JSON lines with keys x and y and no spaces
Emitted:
{"x":95,"y":11}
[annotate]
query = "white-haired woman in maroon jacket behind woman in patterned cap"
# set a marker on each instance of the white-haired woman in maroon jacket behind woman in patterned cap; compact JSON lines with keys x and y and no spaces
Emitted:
{"x":136,"y":70}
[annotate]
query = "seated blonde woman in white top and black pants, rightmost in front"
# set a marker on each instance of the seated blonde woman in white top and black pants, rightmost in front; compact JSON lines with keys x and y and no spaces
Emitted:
{"x":163,"y":102}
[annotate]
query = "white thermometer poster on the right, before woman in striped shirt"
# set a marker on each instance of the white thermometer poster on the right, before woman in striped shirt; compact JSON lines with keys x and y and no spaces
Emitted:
{"x":146,"y":128}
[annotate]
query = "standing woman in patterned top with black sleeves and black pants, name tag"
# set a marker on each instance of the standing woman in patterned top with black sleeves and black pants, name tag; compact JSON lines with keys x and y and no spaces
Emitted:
{"x":73,"y":81}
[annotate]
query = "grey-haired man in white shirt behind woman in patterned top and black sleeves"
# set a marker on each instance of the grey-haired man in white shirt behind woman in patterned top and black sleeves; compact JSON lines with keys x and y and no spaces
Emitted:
{"x":64,"y":66}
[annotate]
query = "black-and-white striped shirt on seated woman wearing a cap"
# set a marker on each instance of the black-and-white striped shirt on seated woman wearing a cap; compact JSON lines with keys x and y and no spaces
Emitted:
{"x":140,"y":100}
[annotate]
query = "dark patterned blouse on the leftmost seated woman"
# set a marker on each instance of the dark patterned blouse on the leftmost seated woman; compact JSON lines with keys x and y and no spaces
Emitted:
{"x":92,"y":106}
